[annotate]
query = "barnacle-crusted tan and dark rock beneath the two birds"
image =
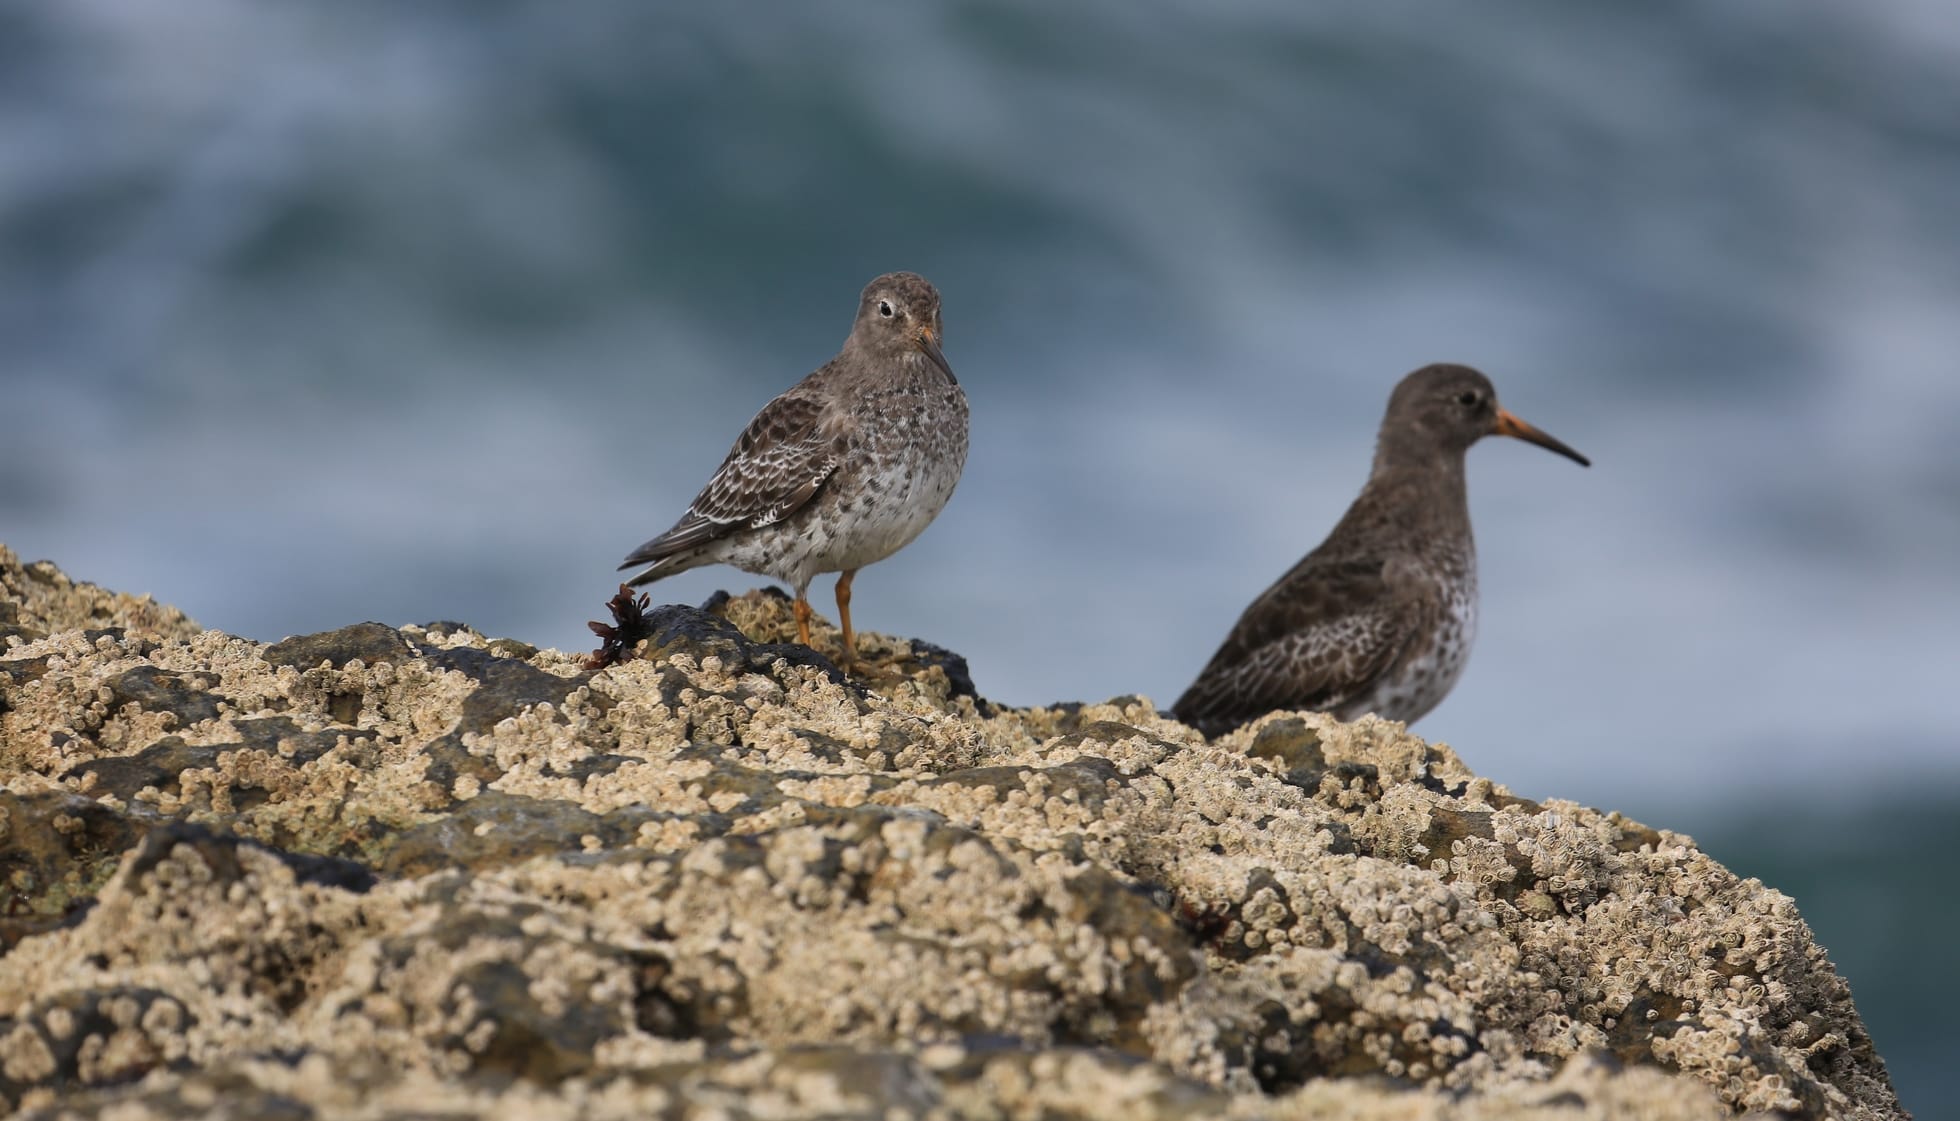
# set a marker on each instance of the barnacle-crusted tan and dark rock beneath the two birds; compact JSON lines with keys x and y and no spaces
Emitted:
{"x":409,"y":871}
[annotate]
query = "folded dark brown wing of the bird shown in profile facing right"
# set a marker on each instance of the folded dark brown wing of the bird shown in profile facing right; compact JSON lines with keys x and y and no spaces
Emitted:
{"x":1314,"y":640}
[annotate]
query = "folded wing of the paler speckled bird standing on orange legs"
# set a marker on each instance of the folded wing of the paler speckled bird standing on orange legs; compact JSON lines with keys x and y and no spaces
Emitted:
{"x":781,"y":462}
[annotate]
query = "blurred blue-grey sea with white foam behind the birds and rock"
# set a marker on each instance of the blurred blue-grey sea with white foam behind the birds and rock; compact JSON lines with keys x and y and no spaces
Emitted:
{"x":405,"y":313}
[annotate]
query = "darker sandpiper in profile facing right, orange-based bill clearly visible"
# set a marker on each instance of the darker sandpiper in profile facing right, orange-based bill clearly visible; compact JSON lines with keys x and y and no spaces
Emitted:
{"x":1381,"y":616}
